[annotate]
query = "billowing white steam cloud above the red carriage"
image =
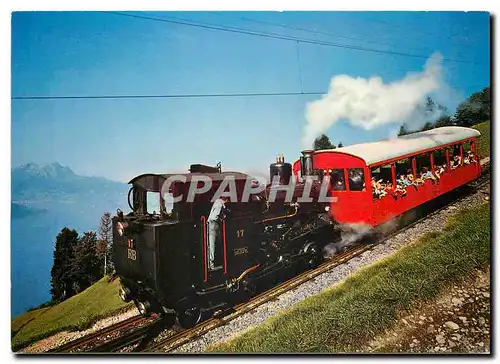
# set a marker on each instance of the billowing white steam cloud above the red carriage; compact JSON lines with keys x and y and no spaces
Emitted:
{"x":369,"y":103}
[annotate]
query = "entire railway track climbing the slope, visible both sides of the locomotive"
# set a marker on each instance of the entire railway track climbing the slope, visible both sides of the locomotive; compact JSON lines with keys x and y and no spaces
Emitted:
{"x":181,"y":337}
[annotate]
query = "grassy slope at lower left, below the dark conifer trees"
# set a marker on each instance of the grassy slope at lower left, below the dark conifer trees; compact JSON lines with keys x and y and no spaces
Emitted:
{"x":76,"y":313}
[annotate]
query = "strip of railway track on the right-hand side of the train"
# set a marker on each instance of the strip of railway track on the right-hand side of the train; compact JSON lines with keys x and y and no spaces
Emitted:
{"x":182,"y":337}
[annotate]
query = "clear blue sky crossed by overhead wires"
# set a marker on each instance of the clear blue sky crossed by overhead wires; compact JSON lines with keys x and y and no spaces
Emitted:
{"x":85,"y":53}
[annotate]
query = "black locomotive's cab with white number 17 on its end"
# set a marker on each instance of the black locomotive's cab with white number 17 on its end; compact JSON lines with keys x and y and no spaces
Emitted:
{"x":160,"y":249}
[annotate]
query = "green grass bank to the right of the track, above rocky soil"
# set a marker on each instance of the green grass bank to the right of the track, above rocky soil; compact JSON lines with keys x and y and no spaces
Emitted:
{"x":346,"y":316}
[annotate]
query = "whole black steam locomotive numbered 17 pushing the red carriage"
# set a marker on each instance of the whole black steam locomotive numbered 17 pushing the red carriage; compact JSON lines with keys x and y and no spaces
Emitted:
{"x":161,"y":256}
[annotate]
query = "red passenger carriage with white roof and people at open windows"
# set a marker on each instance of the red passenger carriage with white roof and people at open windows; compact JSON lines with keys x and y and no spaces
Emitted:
{"x":374,"y":182}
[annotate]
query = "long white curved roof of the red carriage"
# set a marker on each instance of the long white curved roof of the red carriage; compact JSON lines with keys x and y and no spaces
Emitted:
{"x":376,"y":152}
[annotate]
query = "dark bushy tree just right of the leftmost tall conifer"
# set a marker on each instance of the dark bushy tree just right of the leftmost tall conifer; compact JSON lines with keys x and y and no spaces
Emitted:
{"x":86,"y":268}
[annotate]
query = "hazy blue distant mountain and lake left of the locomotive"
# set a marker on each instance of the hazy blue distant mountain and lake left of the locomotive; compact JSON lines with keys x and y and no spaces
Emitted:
{"x":46,"y":198}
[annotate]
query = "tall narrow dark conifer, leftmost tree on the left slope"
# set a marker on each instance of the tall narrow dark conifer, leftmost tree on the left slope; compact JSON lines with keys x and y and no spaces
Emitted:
{"x":61,"y":273}
